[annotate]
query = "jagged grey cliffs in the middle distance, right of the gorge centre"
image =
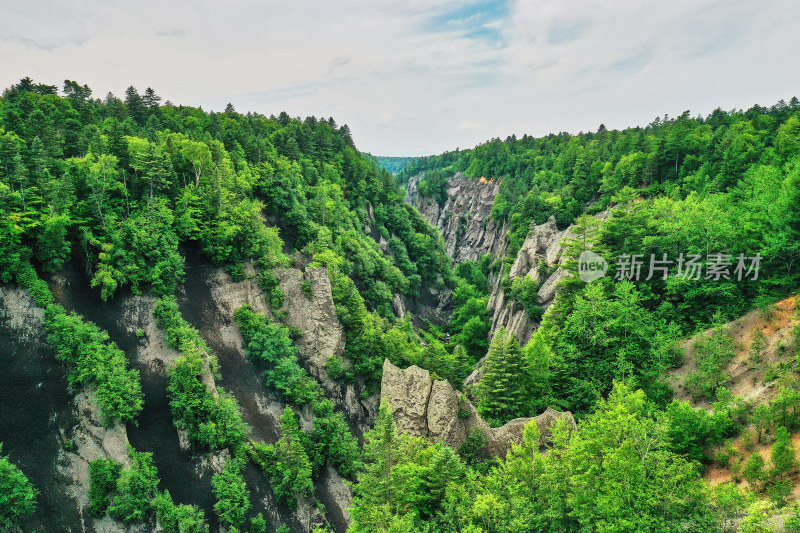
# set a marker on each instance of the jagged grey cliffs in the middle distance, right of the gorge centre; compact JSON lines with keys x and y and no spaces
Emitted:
{"x":469,"y":232}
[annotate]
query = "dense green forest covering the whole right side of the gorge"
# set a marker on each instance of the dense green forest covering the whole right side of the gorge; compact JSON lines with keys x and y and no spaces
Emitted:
{"x":728,"y":183}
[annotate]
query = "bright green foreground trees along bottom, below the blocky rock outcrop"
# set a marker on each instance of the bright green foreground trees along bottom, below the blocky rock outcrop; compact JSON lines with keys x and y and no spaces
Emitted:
{"x":615,"y":473}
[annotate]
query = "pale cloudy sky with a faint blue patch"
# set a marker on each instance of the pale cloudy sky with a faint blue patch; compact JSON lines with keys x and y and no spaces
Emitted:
{"x":419,"y":77}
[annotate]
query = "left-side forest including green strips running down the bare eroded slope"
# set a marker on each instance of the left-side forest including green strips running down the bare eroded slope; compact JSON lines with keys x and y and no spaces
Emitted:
{"x":124,"y":186}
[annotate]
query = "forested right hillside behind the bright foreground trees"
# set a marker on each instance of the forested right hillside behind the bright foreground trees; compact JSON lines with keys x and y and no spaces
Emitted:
{"x":723,"y":188}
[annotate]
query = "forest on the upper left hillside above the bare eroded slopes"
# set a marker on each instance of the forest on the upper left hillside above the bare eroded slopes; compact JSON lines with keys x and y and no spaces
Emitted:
{"x":127,"y":183}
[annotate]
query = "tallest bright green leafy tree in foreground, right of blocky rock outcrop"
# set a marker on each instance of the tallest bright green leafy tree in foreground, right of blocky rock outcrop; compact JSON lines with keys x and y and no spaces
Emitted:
{"x":611,"y":478}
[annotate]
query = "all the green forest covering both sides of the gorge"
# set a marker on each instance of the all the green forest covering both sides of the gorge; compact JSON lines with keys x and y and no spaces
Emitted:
{"x":126,"y":186}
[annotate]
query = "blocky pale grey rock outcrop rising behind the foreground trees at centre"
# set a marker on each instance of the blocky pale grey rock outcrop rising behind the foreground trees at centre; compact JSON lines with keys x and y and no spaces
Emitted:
{"x":429,"y":408}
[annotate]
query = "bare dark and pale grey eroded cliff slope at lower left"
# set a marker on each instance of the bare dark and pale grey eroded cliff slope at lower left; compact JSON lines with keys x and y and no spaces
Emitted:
{"x":53,"y":433}
